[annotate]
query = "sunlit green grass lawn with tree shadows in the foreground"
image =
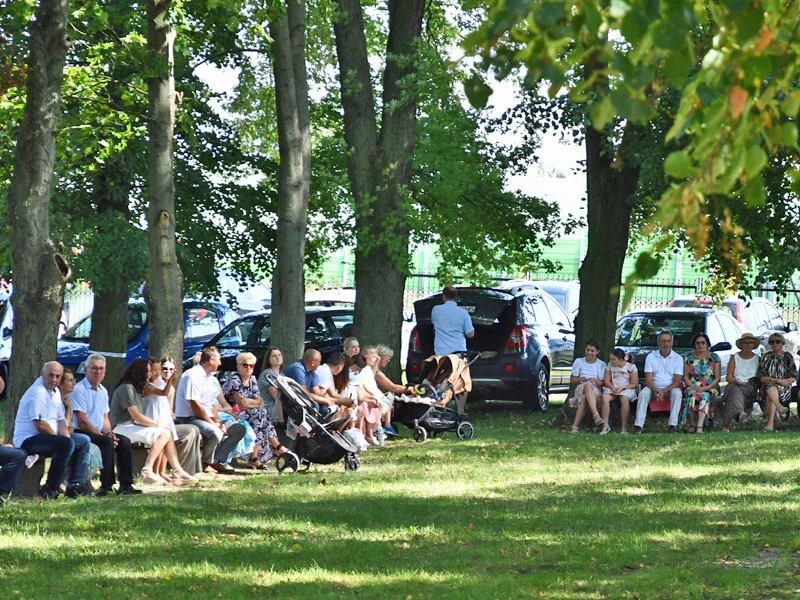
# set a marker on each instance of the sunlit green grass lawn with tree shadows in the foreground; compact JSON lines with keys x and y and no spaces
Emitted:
{"x":522,"y":510}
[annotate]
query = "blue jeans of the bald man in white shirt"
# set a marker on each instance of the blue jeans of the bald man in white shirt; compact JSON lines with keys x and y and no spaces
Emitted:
{"x":63,"y":451}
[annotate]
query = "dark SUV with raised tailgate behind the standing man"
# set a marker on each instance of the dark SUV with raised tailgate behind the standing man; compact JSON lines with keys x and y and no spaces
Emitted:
{"x":525,"y":339}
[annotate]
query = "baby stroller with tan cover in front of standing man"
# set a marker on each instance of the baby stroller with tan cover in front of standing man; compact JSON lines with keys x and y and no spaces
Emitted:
{"x":442,"y":377}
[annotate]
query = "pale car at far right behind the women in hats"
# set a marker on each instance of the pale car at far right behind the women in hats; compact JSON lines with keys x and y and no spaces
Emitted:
{"x":755,"y":314}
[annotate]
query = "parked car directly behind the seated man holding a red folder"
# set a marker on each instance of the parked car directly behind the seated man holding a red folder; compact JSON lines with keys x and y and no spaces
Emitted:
{"x":637,"y":332}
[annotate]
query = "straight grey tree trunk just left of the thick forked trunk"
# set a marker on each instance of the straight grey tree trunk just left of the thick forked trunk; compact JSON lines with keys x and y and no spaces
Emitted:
{"x":294,"y":142}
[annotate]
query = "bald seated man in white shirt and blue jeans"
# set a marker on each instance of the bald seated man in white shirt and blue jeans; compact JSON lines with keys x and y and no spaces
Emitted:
{"x":40,"y":429}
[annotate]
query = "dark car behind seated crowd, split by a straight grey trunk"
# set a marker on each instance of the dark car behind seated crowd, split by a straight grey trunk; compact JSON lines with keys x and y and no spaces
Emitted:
{"x":326,"y":330}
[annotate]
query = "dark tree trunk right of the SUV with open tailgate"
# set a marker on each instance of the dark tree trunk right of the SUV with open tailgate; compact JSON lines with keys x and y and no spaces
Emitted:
{"x":610,"y":191}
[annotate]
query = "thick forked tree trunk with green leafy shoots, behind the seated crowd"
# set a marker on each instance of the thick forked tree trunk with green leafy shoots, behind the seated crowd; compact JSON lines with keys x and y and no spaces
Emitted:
{"x":379,"y":166}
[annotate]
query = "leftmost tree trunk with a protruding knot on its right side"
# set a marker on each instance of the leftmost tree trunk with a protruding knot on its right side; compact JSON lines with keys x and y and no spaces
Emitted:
{"x":40,"y":274}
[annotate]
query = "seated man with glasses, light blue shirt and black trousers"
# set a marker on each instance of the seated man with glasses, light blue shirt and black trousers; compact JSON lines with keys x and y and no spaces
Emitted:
{"x":90,"y":406}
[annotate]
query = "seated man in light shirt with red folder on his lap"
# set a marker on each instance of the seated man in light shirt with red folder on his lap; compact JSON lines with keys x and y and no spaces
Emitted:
{"x":663,"y":371}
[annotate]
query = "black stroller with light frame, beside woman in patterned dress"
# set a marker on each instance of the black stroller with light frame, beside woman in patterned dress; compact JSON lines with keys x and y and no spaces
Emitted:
{"x":314,"y":440}
